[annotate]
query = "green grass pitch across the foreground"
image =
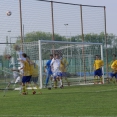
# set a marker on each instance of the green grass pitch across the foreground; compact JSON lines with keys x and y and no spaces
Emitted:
{"x":94,"y":100}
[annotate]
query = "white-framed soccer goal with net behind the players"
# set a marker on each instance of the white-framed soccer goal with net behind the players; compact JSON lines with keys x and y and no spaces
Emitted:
{"x":80,"y":59}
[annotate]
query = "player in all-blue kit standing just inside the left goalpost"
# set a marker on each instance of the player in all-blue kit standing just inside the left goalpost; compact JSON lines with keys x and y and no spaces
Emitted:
{"x":48,"y":69}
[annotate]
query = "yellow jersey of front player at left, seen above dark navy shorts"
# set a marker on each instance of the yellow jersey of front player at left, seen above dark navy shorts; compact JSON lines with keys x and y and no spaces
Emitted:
{"x":26,"y":69}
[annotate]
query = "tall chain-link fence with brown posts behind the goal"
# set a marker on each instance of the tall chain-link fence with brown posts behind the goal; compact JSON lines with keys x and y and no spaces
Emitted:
{"x":48,"y":20}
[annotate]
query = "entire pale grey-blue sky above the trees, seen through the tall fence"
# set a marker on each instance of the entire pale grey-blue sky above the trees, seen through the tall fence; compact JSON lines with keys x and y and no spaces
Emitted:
{"x":37,"y":17}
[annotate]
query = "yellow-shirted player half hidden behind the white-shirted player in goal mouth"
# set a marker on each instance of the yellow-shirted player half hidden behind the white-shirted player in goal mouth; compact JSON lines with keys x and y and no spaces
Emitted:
{"x":63,"y":65}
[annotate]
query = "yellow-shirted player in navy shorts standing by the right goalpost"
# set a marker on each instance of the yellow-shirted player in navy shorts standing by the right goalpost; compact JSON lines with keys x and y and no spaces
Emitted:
{"x":98,"y":63}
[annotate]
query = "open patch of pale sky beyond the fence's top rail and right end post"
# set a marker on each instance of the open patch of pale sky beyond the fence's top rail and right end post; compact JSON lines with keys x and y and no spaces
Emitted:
{"x":111,"y":9}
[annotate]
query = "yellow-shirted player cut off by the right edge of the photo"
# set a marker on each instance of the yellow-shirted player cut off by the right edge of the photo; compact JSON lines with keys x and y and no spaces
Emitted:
{"x":113,"y":72}
